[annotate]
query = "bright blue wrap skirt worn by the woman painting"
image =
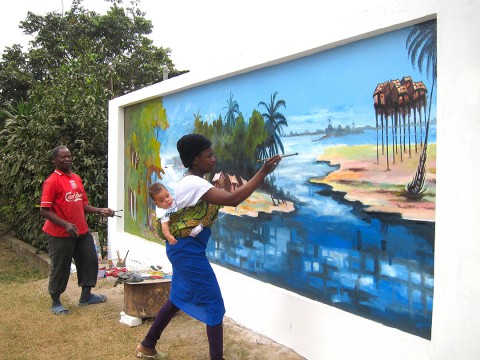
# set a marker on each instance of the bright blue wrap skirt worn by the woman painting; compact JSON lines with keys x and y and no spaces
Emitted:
{"x":195,"y":288}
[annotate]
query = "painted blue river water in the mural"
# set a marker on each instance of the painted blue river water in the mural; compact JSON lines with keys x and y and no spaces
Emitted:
{"x":378,"y":266}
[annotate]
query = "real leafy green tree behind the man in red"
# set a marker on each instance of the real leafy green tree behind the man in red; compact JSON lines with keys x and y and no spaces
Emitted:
{"x":76,"y":63}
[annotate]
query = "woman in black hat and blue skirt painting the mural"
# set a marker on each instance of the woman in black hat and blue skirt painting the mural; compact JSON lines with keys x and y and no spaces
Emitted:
{"x":195,"y":289}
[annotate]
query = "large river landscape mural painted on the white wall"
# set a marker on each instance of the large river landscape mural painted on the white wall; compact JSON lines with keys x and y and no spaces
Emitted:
{"x":348,"y":218}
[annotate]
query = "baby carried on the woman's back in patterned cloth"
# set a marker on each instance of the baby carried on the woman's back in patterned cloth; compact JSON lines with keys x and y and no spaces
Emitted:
{"x":166,"y":205}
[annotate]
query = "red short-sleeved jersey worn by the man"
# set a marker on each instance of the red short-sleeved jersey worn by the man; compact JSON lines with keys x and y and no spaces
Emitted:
{"x":65,"y":196}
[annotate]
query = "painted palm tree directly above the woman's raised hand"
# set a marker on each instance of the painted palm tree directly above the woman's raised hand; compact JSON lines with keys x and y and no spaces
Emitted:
{"x":274,"y":120}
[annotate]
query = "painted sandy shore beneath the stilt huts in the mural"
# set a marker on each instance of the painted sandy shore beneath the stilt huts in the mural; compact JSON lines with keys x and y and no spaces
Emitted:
{"x":378,"y":187}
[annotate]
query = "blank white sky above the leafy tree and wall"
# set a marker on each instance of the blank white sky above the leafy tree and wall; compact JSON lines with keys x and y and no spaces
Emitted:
{"x":202,"y":35}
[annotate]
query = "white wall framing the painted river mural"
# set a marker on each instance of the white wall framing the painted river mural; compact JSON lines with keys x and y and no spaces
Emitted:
{"x":313,"y":329}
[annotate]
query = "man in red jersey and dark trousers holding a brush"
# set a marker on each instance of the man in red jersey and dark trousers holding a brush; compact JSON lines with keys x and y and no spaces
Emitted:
{"x":64,"y":204}
